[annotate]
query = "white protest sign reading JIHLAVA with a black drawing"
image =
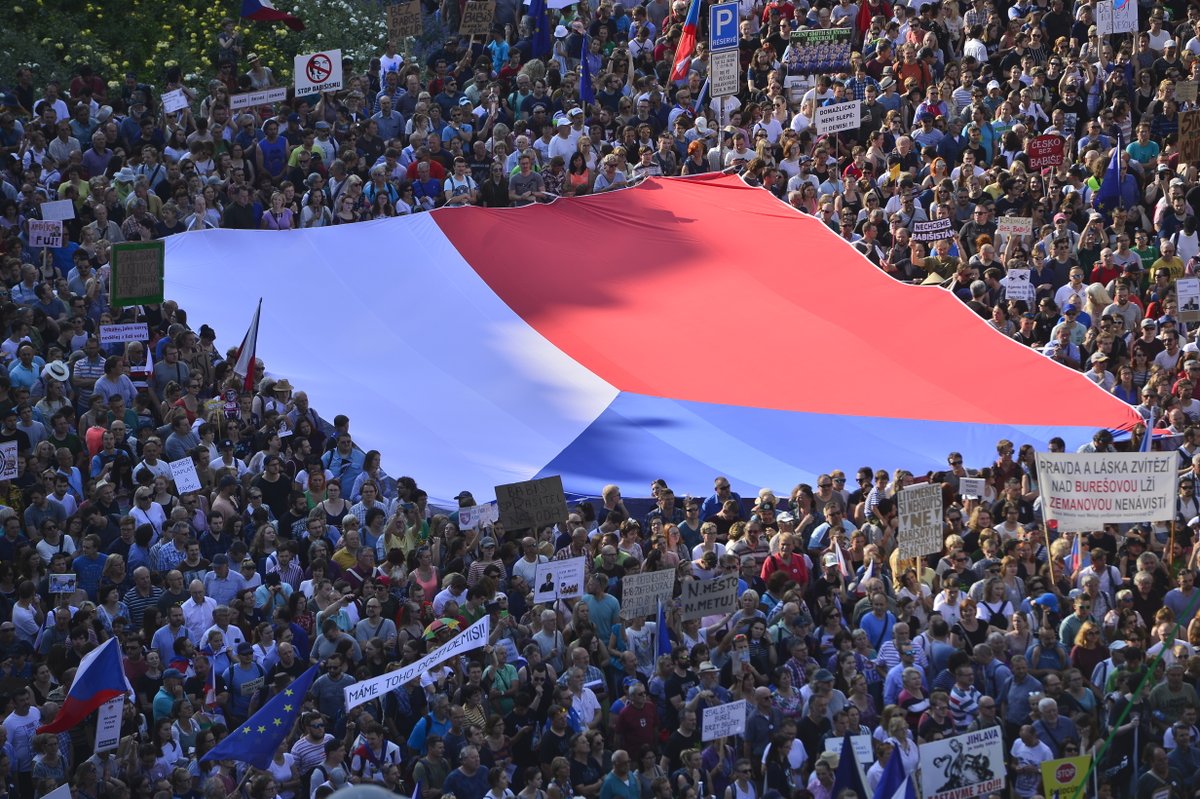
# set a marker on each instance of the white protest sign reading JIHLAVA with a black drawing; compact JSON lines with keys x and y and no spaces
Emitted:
{"x":971,"y":765}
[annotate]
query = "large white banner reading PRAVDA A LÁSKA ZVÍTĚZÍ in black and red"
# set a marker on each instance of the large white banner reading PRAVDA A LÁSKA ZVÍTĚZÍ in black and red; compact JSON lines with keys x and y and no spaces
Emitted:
{"x":1085,"y":491}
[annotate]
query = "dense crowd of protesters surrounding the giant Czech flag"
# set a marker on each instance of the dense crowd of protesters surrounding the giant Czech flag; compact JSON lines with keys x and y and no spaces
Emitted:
{"x":301,"y":550}
